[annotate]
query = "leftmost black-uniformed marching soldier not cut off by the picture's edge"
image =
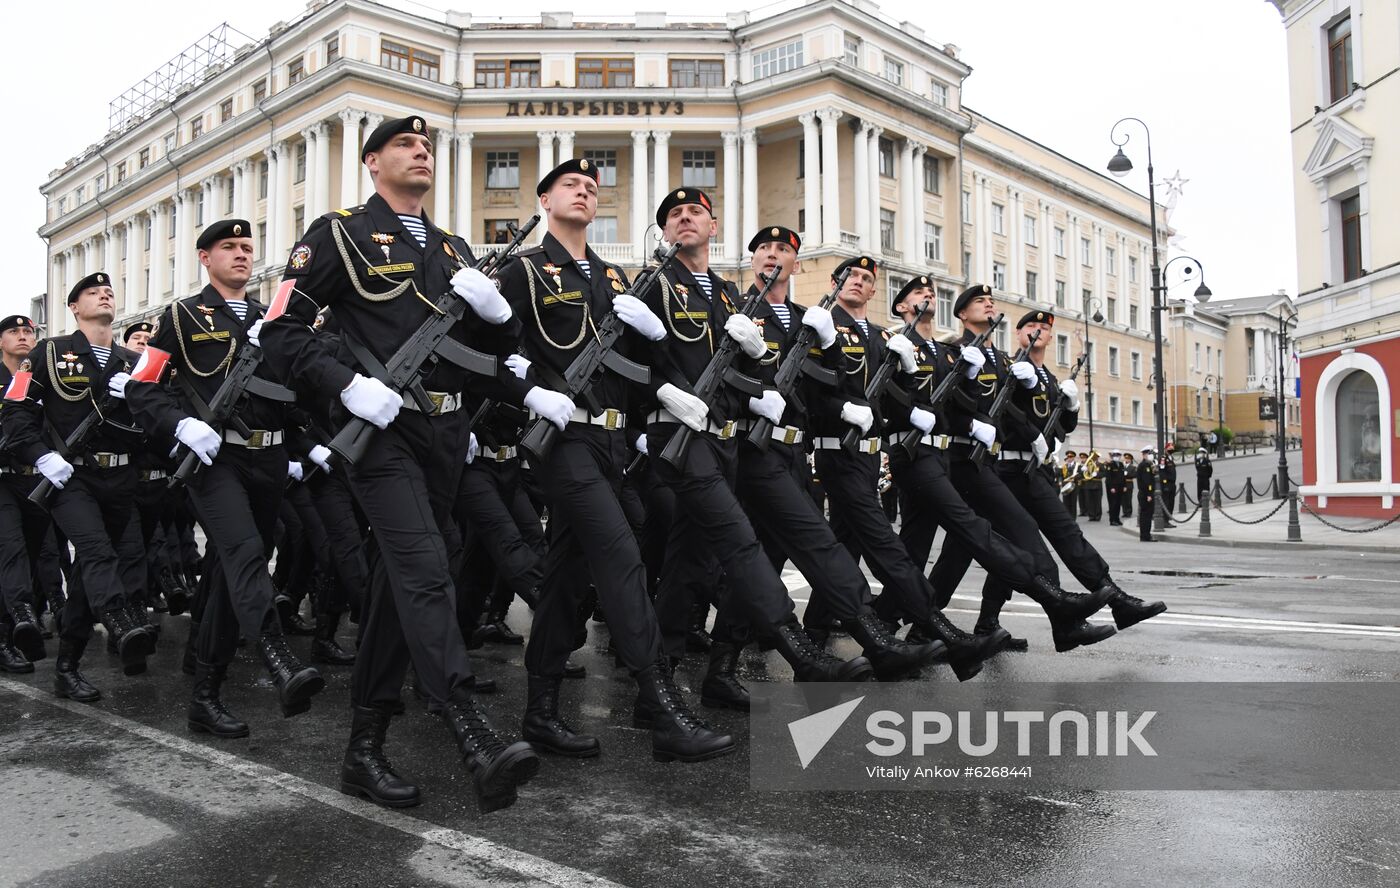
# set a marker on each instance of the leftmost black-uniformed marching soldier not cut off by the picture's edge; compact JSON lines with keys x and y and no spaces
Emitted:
{"x":62,"y":382}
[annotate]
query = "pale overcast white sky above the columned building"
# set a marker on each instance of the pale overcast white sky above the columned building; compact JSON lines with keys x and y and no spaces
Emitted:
{"x":1207,"y":76}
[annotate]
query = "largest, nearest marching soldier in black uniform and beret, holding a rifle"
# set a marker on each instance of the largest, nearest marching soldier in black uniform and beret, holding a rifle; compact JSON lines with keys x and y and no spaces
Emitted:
{"x":381,"y":267}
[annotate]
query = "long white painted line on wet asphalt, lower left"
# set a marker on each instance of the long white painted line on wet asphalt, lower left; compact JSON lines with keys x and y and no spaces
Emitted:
{"x":482,"y":851}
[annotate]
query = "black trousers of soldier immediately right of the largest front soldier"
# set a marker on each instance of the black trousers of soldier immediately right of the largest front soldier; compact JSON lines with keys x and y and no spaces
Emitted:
{"x":590,"y":539}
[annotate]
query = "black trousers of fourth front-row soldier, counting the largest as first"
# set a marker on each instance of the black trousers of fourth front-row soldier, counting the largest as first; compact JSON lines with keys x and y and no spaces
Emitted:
{"x":773,"y":491}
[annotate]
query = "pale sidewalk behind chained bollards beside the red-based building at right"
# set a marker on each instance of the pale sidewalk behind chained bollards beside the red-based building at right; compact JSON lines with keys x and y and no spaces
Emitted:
{"x":1272,"y":533}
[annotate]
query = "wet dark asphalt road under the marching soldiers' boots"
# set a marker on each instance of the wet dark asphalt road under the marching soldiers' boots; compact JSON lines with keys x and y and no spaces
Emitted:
{"x":121,"y":795}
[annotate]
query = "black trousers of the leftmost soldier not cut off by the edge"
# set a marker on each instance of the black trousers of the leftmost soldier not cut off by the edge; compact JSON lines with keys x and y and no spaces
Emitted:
{"x":94,"y":512}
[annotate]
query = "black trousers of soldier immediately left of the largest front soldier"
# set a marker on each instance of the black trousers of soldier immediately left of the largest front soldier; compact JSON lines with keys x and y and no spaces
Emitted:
{"x":237,"y":501}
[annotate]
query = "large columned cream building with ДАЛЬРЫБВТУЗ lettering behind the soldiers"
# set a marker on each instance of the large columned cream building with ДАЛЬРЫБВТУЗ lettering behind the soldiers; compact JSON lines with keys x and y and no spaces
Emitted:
{"x":829,"y":118}
